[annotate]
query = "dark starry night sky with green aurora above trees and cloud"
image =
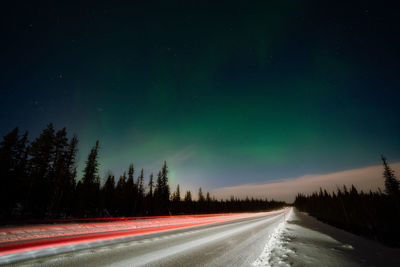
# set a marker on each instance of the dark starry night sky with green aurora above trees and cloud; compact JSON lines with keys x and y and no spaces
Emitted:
{"x":227,"y":93}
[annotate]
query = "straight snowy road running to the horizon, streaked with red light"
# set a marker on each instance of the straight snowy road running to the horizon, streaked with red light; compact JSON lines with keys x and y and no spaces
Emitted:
{"x":231,"y":240}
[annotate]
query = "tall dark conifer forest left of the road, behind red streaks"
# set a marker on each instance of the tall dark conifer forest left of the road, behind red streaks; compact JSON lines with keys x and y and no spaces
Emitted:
{"x":39,"y":180}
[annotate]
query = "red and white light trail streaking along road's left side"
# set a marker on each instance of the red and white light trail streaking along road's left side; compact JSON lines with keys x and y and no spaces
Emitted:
{"x":21,"y":239}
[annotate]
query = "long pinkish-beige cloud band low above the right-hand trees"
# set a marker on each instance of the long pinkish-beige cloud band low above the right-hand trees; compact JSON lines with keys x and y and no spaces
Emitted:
{"x":368,"y":178}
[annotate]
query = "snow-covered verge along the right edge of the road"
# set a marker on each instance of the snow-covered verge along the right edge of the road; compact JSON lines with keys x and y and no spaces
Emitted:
{"x":304,"y":241}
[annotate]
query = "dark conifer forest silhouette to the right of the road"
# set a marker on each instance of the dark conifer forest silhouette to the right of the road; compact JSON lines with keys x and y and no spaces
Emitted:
{"x":372,"y":214}
